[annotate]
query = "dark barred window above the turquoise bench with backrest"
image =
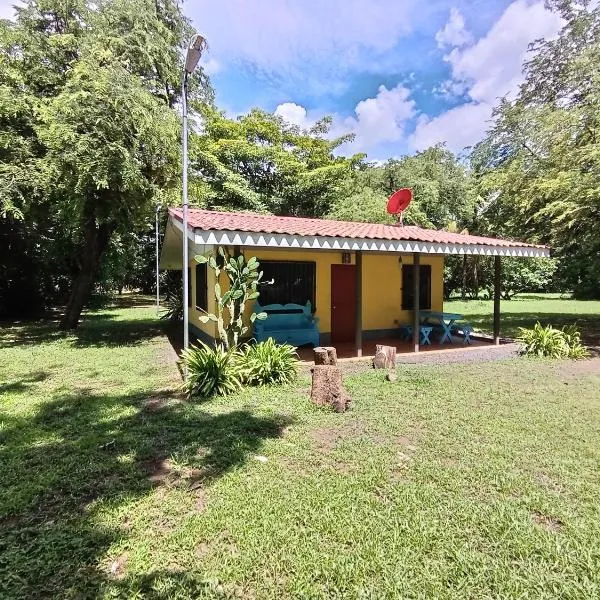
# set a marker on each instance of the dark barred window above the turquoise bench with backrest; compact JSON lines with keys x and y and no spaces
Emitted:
{"x":293,"y":282}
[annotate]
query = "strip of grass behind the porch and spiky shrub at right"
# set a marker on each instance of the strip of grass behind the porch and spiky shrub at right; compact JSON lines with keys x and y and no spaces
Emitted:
{"x":526,"y":309}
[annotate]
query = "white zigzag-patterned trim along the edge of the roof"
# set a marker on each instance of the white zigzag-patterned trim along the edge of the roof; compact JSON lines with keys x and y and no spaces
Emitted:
{"x":276,"y":240}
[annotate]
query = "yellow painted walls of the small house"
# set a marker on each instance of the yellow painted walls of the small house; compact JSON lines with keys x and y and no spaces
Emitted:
{"x":382,"y":286}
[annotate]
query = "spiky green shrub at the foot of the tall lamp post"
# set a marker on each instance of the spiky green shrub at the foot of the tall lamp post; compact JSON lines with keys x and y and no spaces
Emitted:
{"x":212,"y":371}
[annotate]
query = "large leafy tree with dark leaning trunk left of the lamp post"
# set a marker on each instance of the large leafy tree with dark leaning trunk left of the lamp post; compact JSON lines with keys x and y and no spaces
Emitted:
{"x":96,"y":135}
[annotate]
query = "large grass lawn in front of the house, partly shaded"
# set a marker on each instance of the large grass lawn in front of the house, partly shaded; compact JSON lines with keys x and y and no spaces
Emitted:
{"x":470,"y":481}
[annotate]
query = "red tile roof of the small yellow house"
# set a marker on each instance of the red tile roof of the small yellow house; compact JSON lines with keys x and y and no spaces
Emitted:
{"x":208,"y":220}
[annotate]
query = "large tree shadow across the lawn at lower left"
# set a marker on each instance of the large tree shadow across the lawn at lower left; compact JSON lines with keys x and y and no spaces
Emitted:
{"x":86,"y":455}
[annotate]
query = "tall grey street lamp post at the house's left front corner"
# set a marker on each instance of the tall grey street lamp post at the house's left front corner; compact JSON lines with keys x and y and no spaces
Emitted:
{"x":194,"y":51}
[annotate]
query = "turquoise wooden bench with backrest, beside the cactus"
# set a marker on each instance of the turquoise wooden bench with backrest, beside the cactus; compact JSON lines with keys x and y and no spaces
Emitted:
{"x":287,"y":324}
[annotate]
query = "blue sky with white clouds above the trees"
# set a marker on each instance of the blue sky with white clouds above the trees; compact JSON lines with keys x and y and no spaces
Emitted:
{"x":401,"y":75}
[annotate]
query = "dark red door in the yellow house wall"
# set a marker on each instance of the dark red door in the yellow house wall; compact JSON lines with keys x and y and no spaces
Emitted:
{"x":343,"y":303}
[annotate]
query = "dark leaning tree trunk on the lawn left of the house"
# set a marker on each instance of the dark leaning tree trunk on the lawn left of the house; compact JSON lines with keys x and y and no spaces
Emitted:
{"x":96,"y":239}
